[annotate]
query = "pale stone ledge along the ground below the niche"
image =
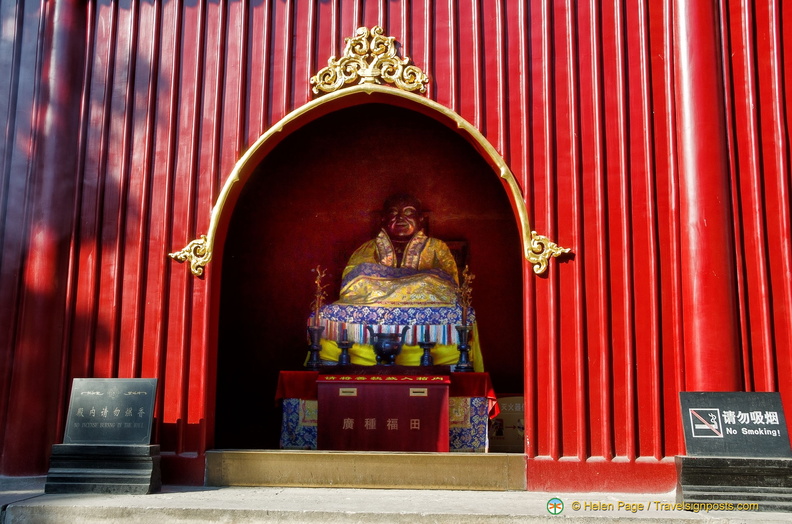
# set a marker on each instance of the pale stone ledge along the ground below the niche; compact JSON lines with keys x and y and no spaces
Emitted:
{"x":23,"y":501}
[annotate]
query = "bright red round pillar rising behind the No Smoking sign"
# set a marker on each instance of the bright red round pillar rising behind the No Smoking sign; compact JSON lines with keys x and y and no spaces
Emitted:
{"x":708,"y":287}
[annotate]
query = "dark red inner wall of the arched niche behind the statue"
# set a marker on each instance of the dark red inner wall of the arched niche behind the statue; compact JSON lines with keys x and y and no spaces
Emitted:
{"x":312,"y":201}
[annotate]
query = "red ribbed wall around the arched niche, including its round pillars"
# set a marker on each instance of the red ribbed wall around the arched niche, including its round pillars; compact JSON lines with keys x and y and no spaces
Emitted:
{"x":652,"y":138}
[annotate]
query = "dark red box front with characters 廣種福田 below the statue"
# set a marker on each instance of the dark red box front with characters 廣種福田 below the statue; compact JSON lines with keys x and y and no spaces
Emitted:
{"x":383,"y":412}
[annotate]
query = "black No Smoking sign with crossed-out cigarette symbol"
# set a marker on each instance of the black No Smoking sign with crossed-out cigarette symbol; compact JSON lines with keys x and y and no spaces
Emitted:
{"x":734,"y":424}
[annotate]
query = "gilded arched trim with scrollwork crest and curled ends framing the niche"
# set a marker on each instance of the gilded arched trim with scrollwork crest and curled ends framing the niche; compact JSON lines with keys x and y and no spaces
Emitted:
{"x":537,"y":249}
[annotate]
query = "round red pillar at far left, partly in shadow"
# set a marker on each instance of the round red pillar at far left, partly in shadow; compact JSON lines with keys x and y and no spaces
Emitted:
{"x":52,"y":129}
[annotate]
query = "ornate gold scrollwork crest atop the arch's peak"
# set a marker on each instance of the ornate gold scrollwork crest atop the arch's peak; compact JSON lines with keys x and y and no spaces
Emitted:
{"x":369,"y":58}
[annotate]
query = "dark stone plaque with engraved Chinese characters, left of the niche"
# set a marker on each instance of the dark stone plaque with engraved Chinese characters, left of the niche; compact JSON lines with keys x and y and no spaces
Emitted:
{"x":111,"y":411}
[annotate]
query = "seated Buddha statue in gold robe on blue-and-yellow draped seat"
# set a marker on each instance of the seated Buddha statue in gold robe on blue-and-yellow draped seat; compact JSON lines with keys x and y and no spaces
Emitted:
{"x":401,"y":278}
